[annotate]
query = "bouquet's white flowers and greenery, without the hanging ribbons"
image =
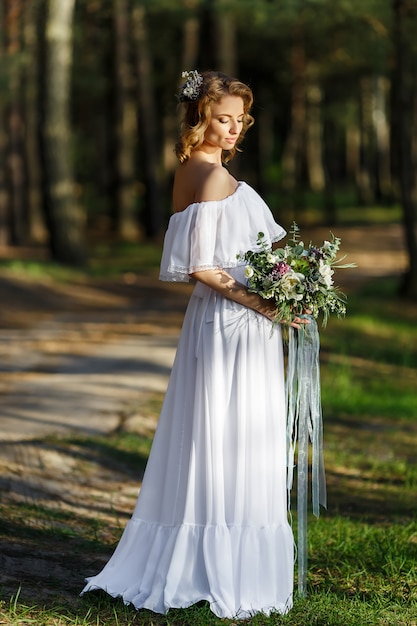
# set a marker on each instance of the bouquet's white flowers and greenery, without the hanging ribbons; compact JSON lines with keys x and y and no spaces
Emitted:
{"x":297,"y":278}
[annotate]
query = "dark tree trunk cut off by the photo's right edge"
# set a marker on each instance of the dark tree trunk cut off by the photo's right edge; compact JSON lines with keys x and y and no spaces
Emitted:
{"x":404,"y":78}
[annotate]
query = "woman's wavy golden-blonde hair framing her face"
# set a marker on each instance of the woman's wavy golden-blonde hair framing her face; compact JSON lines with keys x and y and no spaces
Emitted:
{"x":197,"y":114}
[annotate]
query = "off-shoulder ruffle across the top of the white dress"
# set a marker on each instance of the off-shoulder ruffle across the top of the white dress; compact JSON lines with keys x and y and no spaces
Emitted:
{"x":208,"y":235}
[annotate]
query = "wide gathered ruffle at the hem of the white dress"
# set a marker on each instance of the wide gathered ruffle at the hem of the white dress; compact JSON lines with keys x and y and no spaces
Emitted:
{"x":189,"y":556}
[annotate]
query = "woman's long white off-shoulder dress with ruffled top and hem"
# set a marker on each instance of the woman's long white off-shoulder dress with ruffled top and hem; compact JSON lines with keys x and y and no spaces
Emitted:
{"x":211,"y":522}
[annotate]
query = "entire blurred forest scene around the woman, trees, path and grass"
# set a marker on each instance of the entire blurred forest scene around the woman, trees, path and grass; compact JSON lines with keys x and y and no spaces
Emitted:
{"x":88,"y":122}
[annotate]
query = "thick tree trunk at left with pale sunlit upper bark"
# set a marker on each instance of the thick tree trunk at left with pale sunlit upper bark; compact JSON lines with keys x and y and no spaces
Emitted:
{"x":65,"y":216}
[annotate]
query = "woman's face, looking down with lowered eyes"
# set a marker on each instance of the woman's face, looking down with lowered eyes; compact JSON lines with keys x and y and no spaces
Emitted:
{"x":226,"y":123}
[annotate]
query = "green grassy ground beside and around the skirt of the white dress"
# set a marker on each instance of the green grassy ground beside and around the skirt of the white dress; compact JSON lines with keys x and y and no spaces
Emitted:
{"x":362,"y":551}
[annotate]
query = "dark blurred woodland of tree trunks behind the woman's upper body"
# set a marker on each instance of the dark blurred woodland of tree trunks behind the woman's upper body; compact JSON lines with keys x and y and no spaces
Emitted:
{"x":89,"y":116}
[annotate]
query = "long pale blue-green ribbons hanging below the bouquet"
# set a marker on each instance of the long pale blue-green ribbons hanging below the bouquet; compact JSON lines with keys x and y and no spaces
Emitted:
{"x":304,"y":425}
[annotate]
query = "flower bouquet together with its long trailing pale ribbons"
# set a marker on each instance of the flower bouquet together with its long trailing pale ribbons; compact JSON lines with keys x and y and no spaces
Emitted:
{"x":300,"y":279}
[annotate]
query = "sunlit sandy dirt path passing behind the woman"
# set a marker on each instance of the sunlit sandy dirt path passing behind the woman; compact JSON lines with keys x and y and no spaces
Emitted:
{"x":85,"y":342}
